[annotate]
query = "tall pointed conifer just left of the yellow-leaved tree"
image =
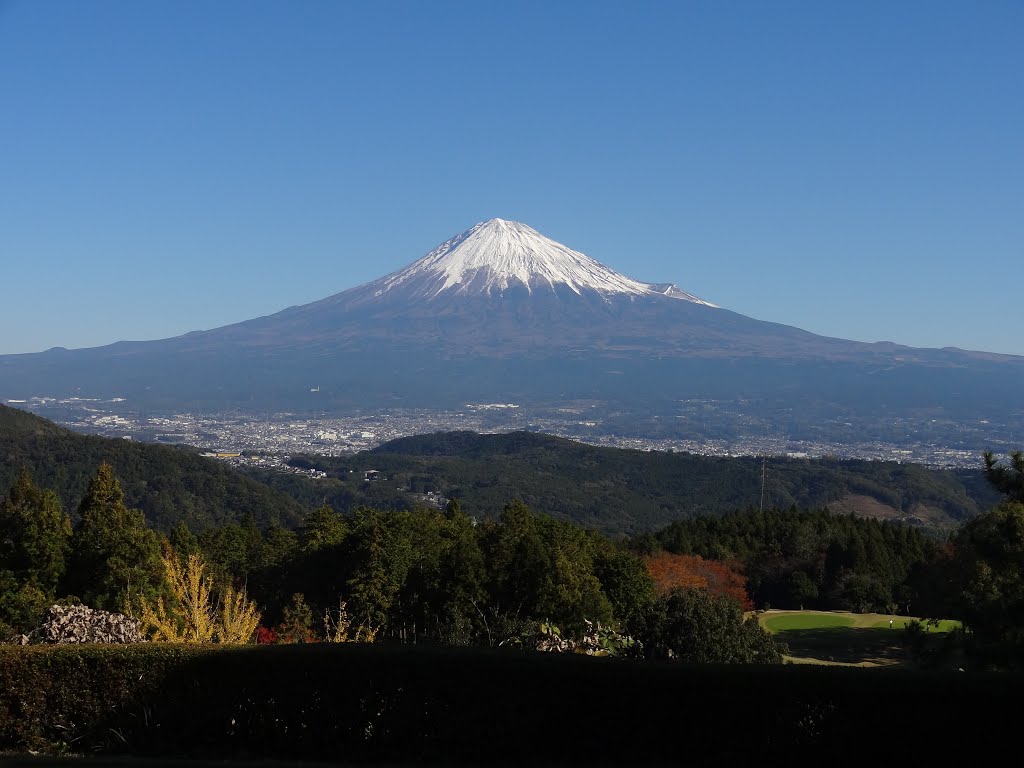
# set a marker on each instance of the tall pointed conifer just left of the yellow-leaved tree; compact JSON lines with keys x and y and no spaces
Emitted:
{"x":115,"y":557}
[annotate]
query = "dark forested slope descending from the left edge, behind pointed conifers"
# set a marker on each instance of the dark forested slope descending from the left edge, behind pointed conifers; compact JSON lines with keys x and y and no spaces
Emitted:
{"x":168,"y":484}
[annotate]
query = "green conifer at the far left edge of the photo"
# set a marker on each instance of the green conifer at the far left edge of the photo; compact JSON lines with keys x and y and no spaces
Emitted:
{"x":35,"y":535}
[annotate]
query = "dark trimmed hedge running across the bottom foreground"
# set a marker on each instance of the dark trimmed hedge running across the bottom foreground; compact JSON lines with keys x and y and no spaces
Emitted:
{"x":370,"y":704}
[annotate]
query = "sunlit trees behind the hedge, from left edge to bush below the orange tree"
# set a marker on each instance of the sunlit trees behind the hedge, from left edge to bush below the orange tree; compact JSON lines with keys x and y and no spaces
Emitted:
{"x":410,"y":576}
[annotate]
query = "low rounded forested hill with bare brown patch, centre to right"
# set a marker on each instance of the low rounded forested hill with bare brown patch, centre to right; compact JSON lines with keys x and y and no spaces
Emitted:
{"x":627,"y":492}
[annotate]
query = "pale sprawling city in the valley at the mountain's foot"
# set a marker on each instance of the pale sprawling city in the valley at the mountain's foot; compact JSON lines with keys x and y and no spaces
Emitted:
{"x":706,"y":428}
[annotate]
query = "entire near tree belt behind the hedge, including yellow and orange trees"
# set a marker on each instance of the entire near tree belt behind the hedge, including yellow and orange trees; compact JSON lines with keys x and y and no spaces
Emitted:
{"x":526,"y":579}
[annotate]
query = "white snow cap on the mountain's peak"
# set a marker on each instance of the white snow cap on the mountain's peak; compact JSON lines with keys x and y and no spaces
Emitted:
{"x":496,"y":255}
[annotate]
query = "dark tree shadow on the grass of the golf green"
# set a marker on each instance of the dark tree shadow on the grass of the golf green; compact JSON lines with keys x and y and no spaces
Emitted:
{"x":847,"y":646}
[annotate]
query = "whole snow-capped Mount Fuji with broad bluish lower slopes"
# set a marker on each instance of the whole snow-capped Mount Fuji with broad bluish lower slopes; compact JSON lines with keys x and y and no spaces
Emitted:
{"x":501,"y":314}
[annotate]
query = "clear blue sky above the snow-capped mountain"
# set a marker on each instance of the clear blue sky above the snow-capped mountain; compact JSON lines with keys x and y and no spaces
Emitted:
{"x":852,"y":168}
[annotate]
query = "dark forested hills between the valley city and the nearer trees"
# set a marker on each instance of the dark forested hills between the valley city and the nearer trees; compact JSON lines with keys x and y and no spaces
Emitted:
{"x":617,"y":492}
